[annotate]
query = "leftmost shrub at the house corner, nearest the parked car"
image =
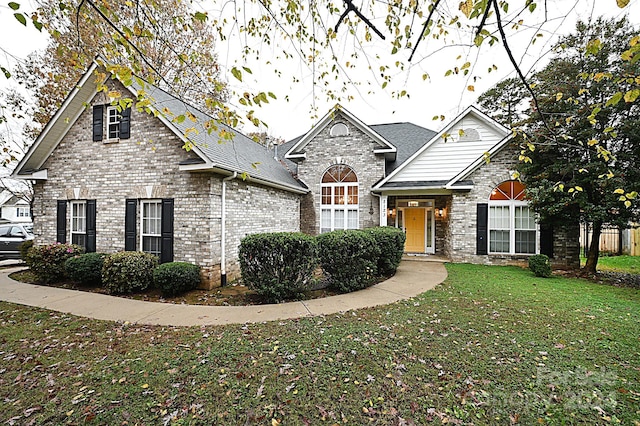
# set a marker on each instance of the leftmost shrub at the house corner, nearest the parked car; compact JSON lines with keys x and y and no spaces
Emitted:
{"x":47,"y":261}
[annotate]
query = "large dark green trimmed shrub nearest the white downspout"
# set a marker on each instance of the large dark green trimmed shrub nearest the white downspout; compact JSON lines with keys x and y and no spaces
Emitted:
{"x":278,"y":266}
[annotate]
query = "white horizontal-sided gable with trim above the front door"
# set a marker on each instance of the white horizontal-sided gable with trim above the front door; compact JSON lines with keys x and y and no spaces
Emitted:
{"x":457,"y":147}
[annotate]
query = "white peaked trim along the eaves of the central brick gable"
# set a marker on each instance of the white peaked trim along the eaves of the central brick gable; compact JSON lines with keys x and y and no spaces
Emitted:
{"x":383,"y":146}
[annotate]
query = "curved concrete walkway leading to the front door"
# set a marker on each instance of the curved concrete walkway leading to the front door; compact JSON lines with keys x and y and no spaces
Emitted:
{"x":412,"y":278}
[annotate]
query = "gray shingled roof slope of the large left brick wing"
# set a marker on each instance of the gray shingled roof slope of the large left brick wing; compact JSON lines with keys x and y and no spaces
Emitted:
{"x":240,"y":154}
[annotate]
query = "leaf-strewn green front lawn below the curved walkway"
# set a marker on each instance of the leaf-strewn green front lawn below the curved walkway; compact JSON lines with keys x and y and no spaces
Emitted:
{"x":492,"y":345}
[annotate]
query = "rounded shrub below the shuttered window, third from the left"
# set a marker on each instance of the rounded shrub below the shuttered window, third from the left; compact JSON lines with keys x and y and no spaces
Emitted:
{"x":128,"y":271}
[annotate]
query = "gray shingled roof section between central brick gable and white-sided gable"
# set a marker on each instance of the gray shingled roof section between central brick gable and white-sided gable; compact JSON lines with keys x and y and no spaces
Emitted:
{"x":408,"y":138}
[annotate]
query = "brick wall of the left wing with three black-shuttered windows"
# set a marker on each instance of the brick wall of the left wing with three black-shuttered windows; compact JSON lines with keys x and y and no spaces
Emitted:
{"x":146,"y":167}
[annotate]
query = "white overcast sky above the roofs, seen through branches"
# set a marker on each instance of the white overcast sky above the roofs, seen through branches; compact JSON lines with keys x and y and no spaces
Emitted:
{"x":438,"y":95}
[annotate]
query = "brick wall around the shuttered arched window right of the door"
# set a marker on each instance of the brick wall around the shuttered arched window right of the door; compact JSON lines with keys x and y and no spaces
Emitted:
{"x":463,"y":211}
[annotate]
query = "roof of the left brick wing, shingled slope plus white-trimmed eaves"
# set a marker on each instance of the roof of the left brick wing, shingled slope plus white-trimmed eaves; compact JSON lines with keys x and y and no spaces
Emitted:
{"x":239,"y":154}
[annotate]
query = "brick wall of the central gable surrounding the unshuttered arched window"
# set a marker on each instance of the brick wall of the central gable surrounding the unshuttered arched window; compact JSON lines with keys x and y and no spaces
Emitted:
{"x":354,"y":150}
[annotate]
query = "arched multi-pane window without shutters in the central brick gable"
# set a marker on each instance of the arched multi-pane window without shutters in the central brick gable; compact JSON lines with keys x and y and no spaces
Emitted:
{"x":339,"y":200}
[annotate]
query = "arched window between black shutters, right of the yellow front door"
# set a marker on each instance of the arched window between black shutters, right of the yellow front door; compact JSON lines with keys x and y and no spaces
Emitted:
{"x":512,"y":223}
